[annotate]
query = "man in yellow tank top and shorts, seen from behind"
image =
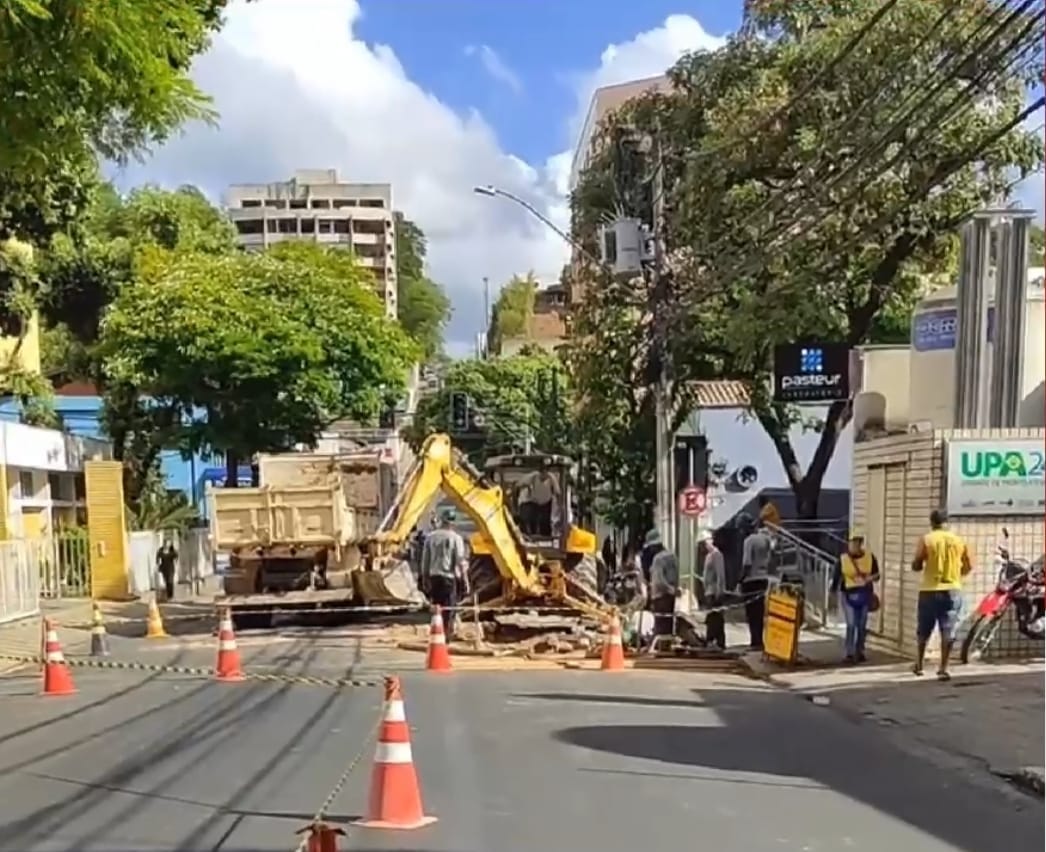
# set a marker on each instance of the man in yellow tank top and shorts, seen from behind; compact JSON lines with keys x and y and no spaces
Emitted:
{"x":944,"y":561}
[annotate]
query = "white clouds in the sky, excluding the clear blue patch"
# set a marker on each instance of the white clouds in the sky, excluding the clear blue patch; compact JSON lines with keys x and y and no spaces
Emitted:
{"x":295,"y":89}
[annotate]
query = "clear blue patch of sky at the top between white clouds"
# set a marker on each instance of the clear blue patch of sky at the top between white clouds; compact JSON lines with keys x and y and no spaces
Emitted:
{"x":544,"y":44}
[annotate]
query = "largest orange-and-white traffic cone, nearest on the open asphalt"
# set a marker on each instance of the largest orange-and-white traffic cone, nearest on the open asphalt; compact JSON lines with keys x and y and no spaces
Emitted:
{"x":396,"y":797}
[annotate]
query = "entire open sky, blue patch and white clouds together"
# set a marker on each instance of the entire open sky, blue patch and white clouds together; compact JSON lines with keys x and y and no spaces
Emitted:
{"x":436,"y":98}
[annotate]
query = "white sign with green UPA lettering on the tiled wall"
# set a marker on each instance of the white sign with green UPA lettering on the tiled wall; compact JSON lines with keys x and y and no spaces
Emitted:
{"x":996,"y":478}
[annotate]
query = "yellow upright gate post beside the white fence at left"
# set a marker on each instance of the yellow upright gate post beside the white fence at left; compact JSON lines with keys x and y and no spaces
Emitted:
{"x":107,"y":529}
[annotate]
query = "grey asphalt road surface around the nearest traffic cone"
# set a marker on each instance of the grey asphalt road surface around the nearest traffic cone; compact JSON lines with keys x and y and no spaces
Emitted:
{"x":510,"y":763}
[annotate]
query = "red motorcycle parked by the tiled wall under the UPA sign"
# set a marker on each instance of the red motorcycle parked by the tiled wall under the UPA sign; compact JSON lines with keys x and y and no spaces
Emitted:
{"x":1020,"y":587}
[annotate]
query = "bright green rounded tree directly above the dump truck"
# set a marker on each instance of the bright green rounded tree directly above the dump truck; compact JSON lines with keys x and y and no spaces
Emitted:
{"x":270,"y":348}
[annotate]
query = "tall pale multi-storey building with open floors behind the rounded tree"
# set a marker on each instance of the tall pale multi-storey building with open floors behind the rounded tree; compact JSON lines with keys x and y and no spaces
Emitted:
{"x":315,"y":205}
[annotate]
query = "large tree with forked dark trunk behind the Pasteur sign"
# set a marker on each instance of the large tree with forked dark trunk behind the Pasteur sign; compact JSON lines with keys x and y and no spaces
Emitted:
{"x":805,"y":197}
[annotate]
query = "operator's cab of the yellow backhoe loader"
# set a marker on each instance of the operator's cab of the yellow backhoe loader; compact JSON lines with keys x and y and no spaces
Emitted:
{"x":539,"y":494}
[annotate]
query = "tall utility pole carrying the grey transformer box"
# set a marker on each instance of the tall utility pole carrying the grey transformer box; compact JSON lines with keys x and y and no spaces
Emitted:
{"x":665,"y":510}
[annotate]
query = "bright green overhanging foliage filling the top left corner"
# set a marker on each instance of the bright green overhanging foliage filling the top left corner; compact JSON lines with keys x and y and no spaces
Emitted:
{"x":112,"y":78}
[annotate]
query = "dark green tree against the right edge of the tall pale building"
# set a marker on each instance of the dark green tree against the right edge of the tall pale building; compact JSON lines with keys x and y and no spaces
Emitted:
{"x":424,"y":309}
